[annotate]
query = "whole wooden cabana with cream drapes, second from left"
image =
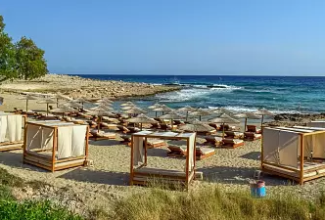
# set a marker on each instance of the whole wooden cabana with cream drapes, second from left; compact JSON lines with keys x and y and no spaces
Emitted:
{"x":54,"y":145}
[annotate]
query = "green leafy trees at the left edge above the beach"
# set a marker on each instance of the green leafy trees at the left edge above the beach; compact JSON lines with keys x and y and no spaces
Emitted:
{"x":22,"y":59}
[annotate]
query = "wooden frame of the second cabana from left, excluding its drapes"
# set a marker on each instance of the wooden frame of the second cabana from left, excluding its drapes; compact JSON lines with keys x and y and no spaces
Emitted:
{"x":54,"y":164}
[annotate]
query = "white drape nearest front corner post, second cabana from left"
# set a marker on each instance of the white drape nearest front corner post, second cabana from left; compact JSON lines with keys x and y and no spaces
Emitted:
{"x":64,"y":142}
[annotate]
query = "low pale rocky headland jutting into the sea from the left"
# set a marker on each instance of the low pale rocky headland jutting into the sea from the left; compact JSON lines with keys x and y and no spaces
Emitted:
{"x":75,"y":87}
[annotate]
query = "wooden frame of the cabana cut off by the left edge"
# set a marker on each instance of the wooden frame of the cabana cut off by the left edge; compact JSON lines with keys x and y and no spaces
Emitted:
{"x":17,"y":144}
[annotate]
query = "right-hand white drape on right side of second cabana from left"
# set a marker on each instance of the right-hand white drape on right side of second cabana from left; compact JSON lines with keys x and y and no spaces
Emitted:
{"x":78,"y":140}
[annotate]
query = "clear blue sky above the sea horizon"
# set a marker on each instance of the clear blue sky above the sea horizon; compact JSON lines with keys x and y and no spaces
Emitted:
{"x":251,"y":37}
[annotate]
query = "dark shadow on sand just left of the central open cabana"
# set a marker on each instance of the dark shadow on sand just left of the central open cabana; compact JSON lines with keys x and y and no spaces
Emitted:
{"x":98,"y":176}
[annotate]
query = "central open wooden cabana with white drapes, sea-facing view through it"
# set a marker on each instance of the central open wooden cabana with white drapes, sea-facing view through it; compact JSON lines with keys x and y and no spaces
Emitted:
{"x":143,"y":174}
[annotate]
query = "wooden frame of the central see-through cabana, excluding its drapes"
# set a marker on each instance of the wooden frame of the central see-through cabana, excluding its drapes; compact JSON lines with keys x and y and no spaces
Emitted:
{"x":140,"y":178}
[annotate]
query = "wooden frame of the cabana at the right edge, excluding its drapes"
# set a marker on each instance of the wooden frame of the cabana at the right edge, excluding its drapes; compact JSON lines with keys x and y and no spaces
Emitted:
{"x":298,"y":175}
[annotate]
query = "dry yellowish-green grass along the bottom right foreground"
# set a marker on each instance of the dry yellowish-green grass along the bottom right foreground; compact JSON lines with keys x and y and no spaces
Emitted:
{"x":212,"y":203}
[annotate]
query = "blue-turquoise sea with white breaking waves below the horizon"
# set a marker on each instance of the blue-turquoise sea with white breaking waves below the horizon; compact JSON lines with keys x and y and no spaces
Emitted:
{"x":279,"y":94}
